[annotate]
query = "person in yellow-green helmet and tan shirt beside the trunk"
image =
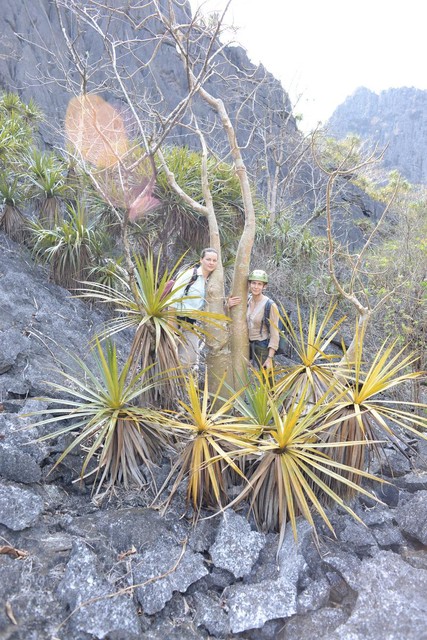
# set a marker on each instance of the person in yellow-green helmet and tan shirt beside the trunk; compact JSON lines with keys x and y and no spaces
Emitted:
{"x":263,"y":337}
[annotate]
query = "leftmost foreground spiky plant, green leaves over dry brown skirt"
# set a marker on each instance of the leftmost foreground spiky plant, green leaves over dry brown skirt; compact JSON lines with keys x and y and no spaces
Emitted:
{"x":99,"y":404}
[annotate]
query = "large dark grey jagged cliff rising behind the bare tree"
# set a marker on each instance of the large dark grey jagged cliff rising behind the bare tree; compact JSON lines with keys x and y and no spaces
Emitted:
{"x":35,"y":63}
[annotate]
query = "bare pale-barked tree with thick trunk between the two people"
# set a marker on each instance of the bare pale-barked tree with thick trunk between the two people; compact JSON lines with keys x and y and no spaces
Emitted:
{"x":131,"y":40}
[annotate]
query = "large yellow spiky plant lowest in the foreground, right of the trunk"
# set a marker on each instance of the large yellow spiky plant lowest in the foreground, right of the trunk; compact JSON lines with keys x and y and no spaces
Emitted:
{"x":288,"y":476}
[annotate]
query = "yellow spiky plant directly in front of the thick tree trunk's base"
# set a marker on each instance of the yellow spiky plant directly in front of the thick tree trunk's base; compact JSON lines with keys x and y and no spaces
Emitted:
{"x":210,"y":437}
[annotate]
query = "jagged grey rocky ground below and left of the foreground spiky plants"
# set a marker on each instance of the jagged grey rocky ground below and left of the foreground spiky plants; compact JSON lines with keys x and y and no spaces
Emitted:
{"x":74,"y":570}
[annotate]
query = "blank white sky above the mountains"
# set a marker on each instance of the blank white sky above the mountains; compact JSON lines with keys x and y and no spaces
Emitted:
{"x":323,"y":50}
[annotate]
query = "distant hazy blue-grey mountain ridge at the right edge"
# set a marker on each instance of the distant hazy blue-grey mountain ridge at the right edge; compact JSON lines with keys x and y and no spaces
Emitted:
{"x":396,"y":118}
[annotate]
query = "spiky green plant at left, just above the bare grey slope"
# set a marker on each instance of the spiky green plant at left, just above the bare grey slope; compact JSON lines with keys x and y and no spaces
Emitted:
{"x":70,"y":248}
